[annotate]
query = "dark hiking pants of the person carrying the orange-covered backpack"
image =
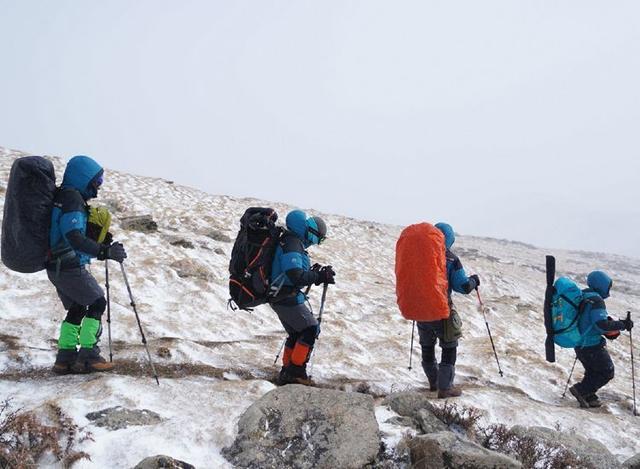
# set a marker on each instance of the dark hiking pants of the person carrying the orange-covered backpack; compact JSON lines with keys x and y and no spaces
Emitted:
{"x":441,"y":374}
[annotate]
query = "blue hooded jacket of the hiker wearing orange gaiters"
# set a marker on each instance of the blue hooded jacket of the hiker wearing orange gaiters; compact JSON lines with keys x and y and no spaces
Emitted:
{"x":291,"y":263}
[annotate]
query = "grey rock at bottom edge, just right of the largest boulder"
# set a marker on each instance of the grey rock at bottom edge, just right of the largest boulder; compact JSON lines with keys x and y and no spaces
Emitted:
{"x":447,"y":450}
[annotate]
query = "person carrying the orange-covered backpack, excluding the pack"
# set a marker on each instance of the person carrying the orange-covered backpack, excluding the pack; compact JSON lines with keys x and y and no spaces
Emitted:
{"x":447,"y":331}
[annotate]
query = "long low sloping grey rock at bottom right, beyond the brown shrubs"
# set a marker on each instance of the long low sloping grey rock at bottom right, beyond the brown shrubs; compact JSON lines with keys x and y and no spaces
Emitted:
{"x":589,"y":450}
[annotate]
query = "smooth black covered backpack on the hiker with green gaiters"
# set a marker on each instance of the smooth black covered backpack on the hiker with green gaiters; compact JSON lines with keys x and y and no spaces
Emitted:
{"x":27,"y":214}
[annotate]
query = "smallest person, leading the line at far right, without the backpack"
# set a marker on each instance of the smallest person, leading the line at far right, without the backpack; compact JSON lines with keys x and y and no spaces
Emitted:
{"x":593,"y":323}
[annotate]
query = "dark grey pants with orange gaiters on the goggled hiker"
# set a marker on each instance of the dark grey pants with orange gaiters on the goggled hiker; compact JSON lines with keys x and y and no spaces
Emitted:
{"x":302,"y":330}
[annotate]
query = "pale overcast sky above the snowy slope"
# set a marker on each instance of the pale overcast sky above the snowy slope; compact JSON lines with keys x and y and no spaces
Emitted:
{"x":513,"y":119}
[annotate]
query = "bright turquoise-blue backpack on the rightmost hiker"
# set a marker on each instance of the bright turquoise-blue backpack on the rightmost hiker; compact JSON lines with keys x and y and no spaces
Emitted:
{"x":566,"y":306}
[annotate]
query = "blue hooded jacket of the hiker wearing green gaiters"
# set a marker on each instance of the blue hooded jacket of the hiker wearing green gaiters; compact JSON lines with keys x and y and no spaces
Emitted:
{"x":70,"y":210}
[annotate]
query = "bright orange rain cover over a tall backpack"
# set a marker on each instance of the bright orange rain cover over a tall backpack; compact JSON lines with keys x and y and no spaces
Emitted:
{"x":421,"y":273}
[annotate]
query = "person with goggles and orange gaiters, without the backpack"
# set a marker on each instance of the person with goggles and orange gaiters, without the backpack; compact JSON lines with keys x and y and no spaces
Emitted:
{"x":291,"y":271}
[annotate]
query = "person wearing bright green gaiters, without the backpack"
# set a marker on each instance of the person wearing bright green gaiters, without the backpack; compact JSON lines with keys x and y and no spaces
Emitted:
{"x":71,"y":250}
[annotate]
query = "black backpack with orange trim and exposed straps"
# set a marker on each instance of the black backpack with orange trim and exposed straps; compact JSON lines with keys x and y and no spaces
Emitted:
{"x":251,"y":258}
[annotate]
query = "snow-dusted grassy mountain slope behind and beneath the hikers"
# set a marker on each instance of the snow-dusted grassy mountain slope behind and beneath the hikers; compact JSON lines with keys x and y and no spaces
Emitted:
{"x":222,"y":360}
